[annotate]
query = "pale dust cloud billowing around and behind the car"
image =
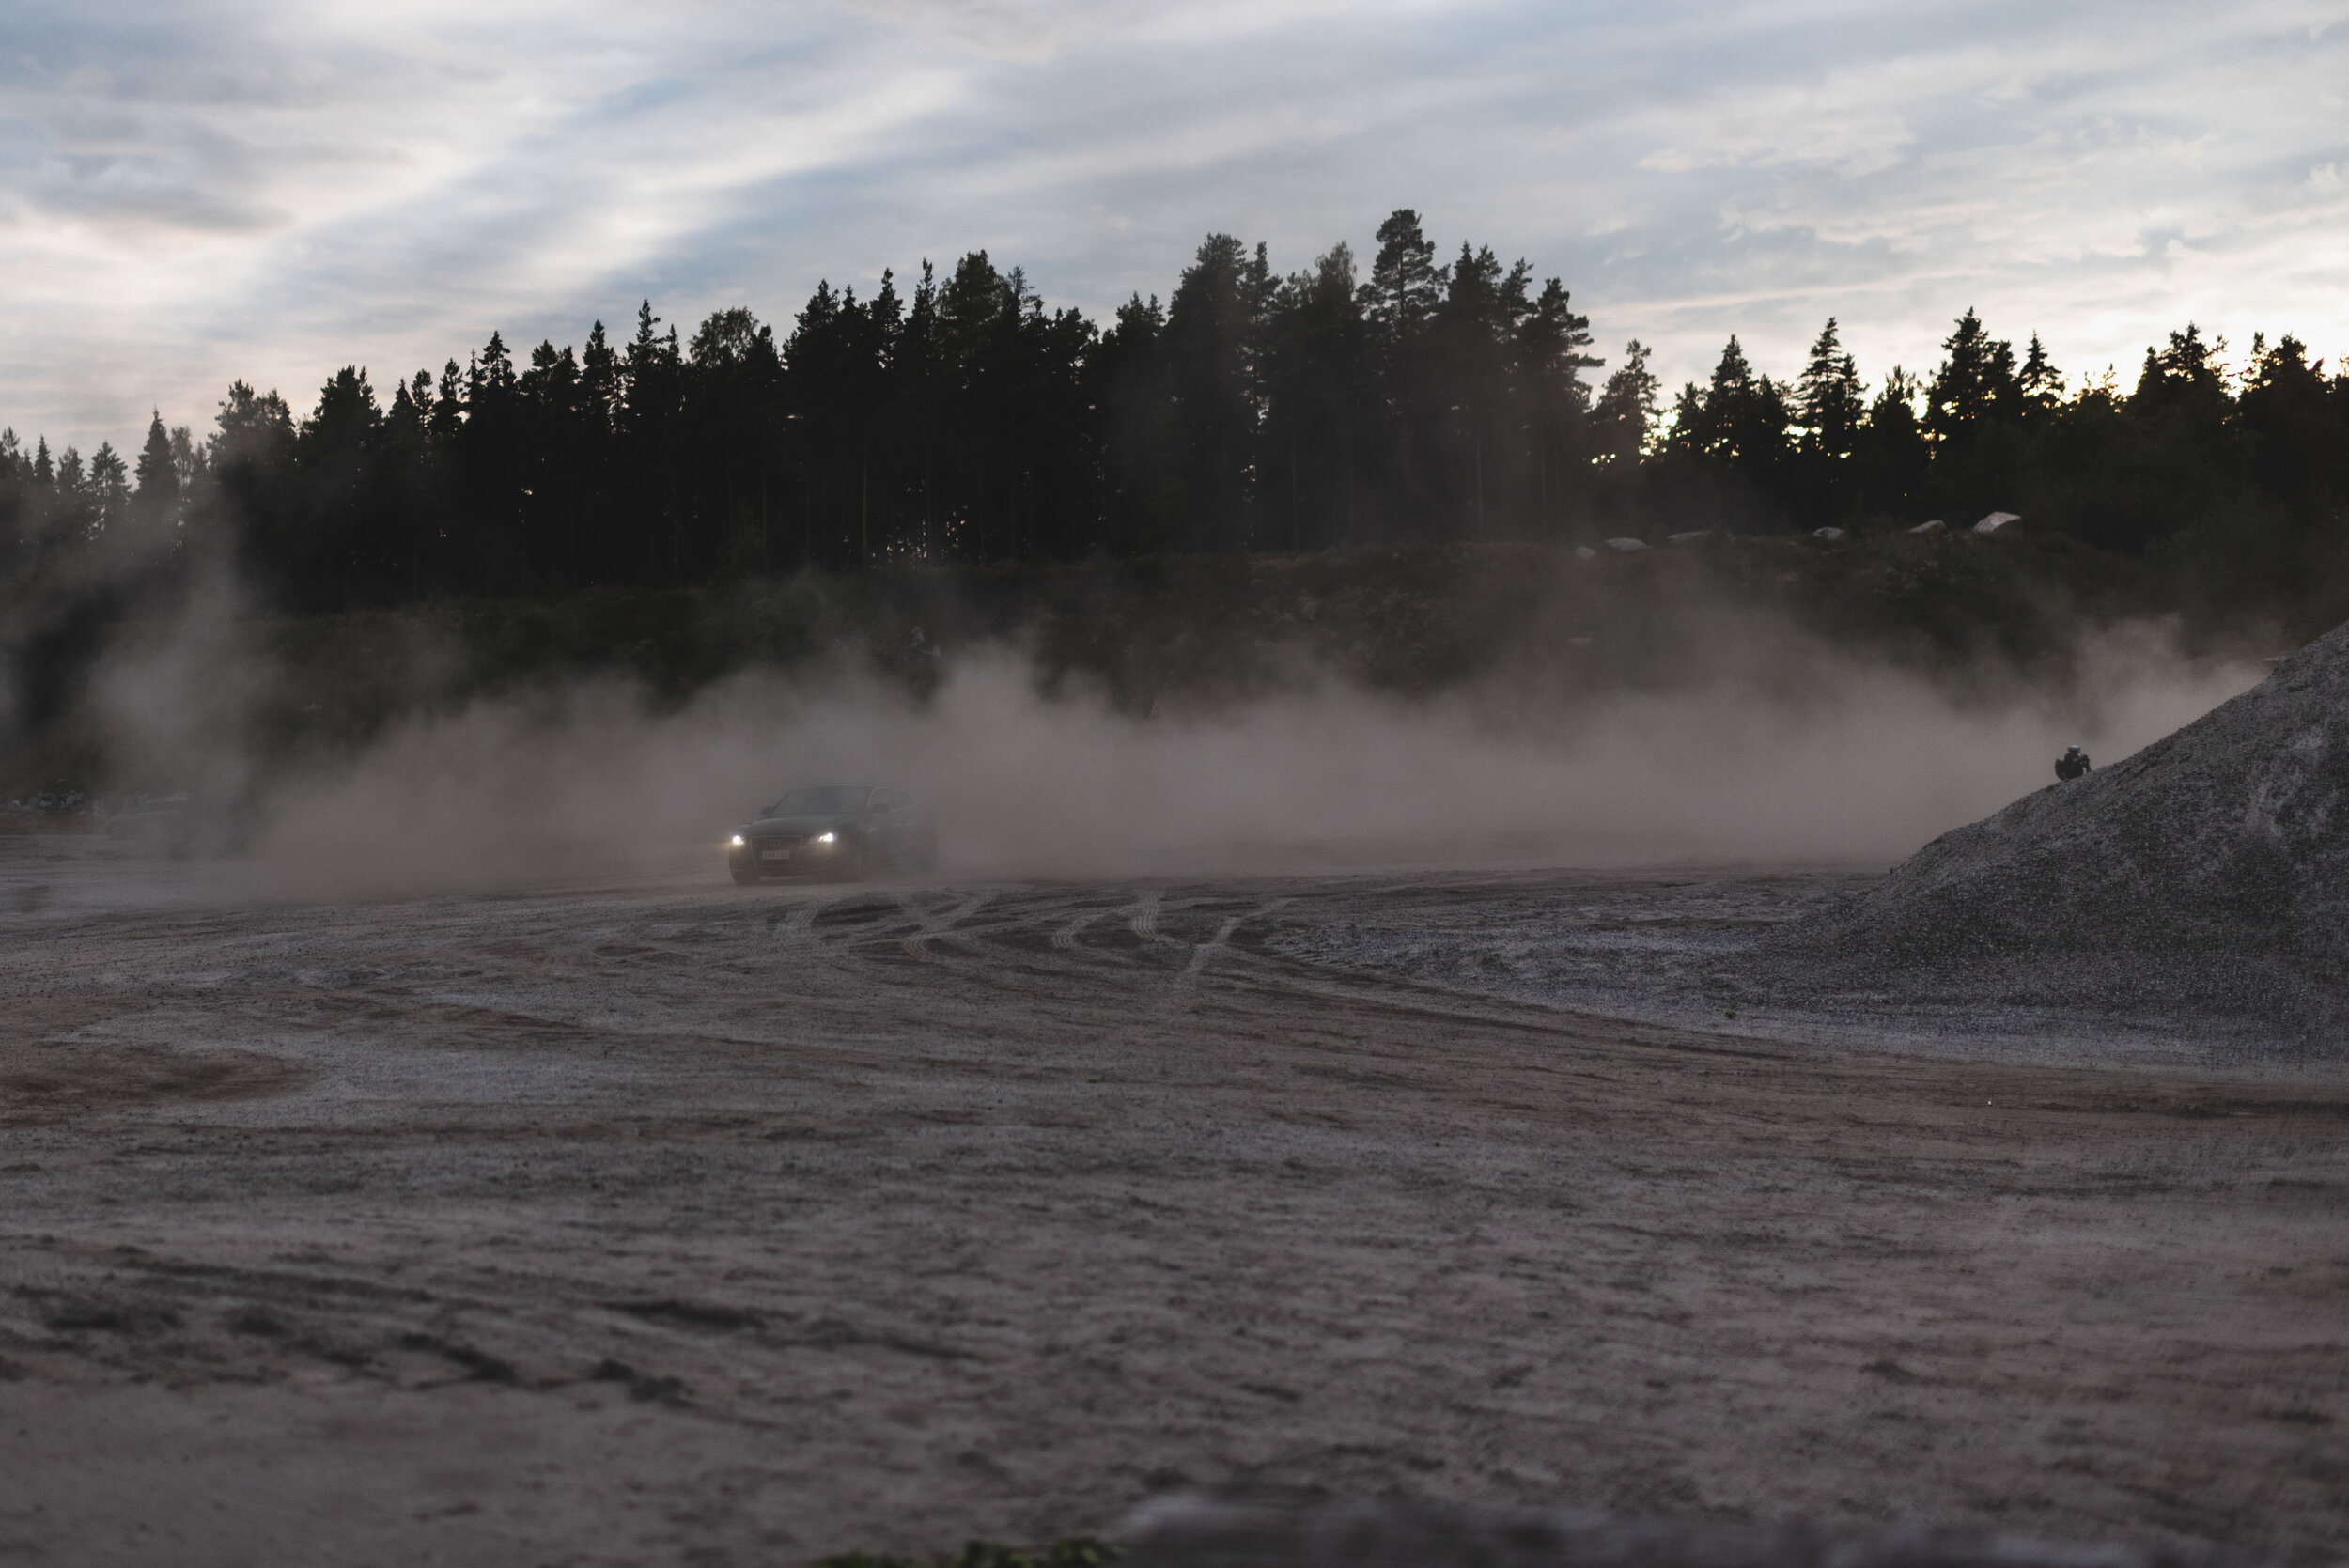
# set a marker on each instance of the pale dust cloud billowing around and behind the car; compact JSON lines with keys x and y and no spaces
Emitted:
{"x":1805,"y":757}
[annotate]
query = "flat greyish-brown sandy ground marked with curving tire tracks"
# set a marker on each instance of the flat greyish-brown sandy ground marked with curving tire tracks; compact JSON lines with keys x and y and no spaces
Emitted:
{"x":659,"y":1222}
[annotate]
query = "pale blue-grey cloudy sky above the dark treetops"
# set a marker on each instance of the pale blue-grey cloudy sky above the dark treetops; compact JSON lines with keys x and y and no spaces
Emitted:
{"x":220,"y":189}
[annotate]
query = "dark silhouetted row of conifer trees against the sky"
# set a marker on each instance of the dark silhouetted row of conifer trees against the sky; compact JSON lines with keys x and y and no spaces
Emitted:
{"x":962,"y":419}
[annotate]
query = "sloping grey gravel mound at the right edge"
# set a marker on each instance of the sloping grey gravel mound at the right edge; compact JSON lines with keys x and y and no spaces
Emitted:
{"x":2205,"y":877}
